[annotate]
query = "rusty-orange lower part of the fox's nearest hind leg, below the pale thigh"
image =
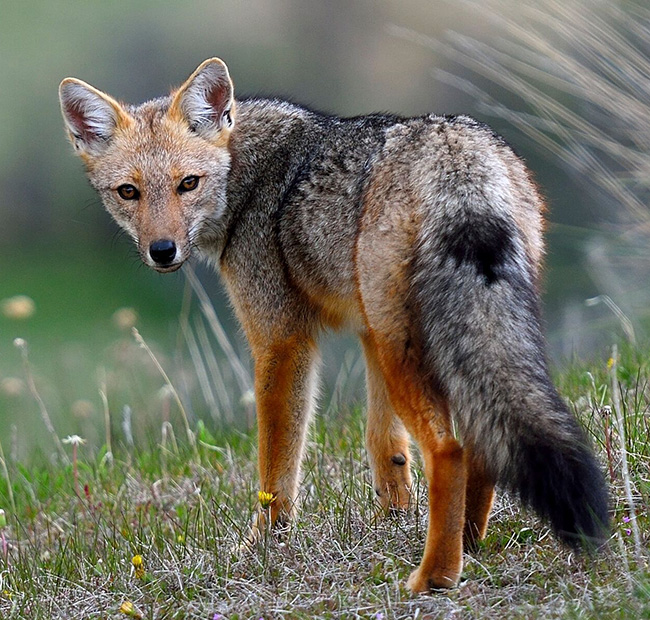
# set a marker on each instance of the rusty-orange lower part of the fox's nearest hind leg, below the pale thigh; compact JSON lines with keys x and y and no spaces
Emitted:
{"x":425,"y":414}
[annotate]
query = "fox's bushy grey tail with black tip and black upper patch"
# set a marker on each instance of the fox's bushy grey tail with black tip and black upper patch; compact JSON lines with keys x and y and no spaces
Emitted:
{"x":475,"y":290}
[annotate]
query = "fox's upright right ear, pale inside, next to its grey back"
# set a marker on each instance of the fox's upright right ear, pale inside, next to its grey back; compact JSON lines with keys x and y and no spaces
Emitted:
{"x":206,"y":101}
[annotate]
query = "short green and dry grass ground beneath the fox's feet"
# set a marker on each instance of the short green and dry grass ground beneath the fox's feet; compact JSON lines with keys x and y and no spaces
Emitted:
{"x":79,"y":517}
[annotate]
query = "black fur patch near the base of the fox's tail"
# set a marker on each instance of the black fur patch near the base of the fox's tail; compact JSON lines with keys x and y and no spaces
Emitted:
{"x":486,"y":244}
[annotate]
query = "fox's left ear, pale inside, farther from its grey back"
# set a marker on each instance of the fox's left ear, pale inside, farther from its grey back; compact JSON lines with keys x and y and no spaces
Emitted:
{"x":90,"y":115}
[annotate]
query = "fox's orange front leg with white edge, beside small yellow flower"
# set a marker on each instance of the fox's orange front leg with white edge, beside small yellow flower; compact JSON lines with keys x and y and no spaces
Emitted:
{"x":285,"y":382}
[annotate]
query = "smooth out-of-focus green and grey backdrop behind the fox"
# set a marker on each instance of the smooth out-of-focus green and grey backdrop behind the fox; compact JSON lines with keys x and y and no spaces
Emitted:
{"x":58,"y":247}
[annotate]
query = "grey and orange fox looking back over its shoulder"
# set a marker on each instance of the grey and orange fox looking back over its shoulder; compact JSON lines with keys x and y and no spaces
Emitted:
{"x":423,"y":235}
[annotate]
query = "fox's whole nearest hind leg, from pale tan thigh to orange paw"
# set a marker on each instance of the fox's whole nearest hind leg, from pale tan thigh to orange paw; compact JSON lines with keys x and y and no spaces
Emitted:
{"x":384,"y":261}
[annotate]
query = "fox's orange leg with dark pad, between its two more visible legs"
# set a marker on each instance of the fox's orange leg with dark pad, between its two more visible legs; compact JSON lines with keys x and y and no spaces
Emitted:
{"x":386,"y":439}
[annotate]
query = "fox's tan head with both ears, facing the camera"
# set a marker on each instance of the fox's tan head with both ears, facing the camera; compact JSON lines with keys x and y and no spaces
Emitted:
{"x":160,"y":168}
